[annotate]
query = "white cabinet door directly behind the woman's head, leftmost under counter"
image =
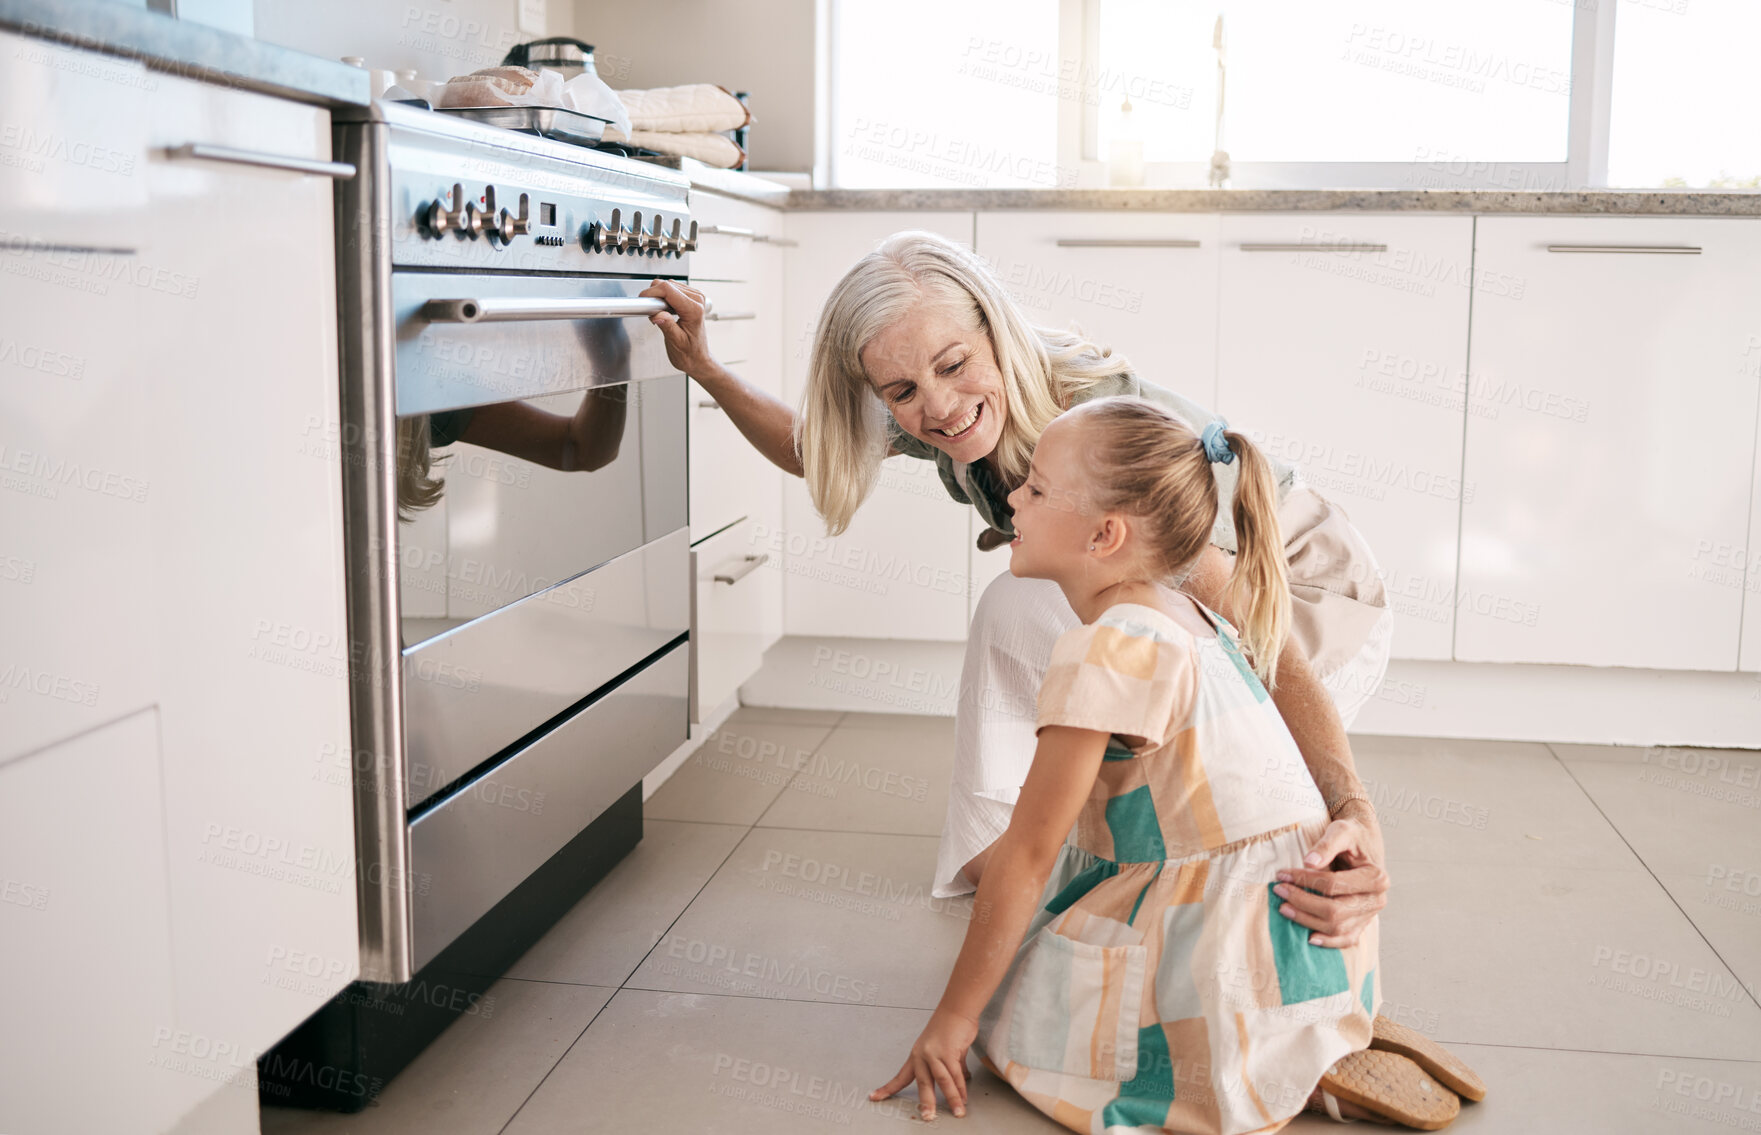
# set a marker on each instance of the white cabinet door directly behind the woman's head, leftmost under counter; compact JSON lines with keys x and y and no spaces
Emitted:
{"x":901,"y":569}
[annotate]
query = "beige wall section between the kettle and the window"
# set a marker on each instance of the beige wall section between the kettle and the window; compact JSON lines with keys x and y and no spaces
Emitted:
{"x":760,"y":47}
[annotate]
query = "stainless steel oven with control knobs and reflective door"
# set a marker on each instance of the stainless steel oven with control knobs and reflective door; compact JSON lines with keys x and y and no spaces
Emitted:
{"x":515,"y":488}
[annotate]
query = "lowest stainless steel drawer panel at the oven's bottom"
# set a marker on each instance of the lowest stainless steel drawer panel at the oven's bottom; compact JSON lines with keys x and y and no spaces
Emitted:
{"x":489,"y":837}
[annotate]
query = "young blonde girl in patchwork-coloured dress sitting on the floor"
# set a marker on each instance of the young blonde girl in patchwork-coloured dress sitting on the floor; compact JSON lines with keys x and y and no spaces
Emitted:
{"x":1144,"y":976}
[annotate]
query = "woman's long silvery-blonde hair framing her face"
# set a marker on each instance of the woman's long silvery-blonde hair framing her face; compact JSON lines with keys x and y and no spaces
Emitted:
{"x":841,"y":430}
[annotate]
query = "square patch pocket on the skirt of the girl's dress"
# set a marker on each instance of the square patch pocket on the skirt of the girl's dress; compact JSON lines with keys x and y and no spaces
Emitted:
{"x":1077,"y":1007}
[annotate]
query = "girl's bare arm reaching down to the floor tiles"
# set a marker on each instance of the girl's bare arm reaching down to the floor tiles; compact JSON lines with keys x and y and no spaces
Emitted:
{"x":1066,"y":765}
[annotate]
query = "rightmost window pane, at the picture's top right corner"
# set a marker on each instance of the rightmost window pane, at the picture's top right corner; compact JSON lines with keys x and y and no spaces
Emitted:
{"x":1688,"y":103}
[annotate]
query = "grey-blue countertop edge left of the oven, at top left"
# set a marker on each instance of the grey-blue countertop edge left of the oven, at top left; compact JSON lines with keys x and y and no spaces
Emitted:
{"x":189,"y":50}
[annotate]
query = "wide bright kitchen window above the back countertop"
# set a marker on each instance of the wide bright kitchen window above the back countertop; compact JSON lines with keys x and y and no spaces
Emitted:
{"x":1390,"y":94}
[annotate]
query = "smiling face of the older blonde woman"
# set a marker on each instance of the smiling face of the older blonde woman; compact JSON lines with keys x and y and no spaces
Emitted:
{"x":939,"y":381}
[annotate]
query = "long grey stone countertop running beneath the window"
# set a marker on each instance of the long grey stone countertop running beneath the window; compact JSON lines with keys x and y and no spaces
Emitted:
{"x":1589,"y":203}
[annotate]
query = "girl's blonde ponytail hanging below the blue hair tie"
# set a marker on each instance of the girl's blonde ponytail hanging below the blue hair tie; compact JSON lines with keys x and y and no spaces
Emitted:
{"x":1260,"y":585}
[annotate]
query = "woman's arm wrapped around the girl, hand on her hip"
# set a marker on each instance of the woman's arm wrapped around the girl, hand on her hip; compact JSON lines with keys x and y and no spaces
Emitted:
{"x":1357,"y":891}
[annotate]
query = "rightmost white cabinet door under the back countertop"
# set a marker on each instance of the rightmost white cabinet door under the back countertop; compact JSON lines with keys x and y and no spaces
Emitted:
{"x":1610,"y":443}
